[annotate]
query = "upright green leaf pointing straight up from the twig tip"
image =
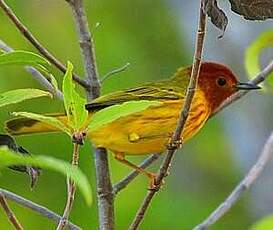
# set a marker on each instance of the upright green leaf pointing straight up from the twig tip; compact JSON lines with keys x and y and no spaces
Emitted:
{"x":73,"y":102}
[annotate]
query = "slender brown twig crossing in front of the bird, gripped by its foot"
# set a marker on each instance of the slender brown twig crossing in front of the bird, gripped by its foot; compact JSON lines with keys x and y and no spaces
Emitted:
{"x":182,"y":119}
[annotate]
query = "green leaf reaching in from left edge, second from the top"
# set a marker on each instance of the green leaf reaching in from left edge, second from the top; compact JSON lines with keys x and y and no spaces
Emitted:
{"x":18,"y":95}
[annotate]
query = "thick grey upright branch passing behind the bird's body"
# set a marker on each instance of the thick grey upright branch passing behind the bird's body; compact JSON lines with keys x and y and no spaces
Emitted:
{"x":104,"y":185}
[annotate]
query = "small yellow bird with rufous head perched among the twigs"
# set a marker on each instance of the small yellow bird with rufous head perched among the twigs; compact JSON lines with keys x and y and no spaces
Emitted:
{"x":149,"y":131}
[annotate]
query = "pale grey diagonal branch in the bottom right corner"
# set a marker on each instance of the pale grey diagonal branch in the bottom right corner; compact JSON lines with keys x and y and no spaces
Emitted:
{"x":244,"y":185}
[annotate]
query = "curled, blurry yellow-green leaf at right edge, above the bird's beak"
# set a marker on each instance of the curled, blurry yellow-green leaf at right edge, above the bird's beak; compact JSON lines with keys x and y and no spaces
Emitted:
{"x":254,"y":51}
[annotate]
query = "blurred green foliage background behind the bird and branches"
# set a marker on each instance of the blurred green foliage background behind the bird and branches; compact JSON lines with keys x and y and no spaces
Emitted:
{"x":145,"y":34}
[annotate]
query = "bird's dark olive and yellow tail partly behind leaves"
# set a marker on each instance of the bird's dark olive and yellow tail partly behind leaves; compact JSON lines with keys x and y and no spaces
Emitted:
{"x":22,"y":126}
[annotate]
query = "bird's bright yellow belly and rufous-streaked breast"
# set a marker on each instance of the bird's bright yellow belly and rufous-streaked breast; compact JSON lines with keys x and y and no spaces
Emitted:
{"x":149,"y":131}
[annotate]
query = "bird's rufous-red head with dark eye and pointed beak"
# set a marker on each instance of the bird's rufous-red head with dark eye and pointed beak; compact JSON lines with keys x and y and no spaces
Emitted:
{"x":218,"y":83}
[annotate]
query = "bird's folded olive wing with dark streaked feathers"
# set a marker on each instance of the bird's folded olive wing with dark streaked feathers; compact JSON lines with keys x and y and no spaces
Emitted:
{"x":158,"y":91}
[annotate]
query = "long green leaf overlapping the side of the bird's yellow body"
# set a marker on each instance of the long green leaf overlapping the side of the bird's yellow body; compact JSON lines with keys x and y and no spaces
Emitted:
{"x":115,"y":112}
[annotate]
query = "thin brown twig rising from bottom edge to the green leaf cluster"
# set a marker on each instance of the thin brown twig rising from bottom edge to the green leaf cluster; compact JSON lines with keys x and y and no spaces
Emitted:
{"x":71,"y":189}
